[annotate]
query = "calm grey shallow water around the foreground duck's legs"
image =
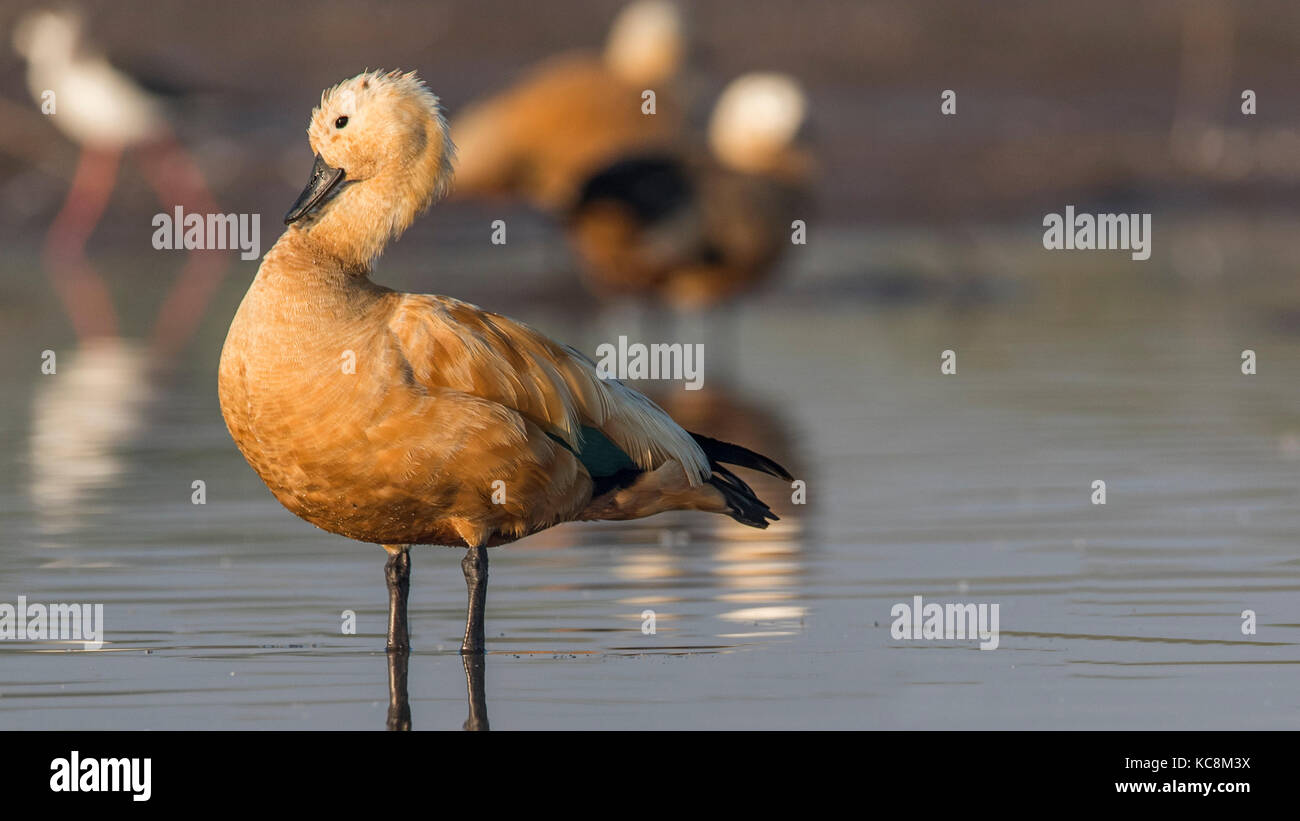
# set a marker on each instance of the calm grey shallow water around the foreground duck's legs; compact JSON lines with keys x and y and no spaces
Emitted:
{"x":969,"y":488}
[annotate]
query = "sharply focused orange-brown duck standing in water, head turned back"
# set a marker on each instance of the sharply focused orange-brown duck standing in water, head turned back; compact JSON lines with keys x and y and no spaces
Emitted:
{"x":400,"y":419}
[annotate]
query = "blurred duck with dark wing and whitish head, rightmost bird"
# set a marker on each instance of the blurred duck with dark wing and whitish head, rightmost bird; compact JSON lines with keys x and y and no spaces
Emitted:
{"x":694,"y":231}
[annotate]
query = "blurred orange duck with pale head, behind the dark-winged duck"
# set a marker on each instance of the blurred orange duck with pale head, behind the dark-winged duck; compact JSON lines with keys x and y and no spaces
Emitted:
{"x":541,"y":138}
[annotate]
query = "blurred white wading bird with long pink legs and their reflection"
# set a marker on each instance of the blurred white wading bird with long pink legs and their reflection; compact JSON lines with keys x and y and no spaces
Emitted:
{"x":106,"y":112}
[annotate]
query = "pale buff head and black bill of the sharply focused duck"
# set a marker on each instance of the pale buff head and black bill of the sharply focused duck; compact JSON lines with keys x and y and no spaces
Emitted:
{"x":383,"y":157}
